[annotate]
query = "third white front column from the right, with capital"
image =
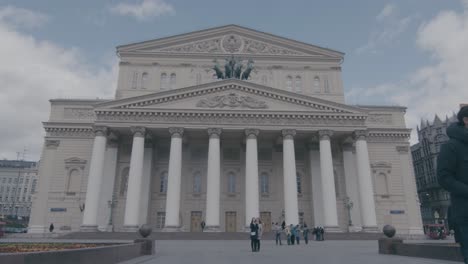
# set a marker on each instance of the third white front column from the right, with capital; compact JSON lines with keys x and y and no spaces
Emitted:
{"x":291,"y":206}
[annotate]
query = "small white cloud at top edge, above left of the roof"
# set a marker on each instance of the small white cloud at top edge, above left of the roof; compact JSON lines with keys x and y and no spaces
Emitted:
{"x":145,"y":9}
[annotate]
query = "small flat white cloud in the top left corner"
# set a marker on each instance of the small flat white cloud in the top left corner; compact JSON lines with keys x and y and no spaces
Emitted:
{"x":19,"y":17}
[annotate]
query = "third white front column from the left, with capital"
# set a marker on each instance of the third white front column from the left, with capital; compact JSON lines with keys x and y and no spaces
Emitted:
{"x":174,"y":180}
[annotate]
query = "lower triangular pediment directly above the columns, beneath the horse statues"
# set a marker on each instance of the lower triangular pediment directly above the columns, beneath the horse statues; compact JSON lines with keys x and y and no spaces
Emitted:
{"x":230,"y":95}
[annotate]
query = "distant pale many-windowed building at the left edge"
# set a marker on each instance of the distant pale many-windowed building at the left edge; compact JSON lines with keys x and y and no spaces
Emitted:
{"x":18,"y":181}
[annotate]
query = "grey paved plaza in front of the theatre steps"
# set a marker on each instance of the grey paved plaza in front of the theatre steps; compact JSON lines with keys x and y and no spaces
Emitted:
{"x":222,"y":251}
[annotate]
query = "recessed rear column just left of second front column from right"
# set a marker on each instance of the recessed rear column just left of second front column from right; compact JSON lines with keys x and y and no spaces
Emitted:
{"x":316,"y":183}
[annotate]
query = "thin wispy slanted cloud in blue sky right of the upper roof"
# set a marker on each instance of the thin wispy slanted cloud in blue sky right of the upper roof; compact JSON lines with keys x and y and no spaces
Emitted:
{"x":389,"y":26}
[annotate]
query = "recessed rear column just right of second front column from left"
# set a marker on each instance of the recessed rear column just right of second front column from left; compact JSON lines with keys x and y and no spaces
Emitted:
{"x":146,"y":184}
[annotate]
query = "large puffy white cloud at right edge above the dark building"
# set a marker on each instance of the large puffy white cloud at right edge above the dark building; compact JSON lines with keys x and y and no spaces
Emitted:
{"x":437,"y":88}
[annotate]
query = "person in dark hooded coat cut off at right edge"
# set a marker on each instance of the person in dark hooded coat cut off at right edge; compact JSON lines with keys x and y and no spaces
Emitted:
{"x":452,"y":172}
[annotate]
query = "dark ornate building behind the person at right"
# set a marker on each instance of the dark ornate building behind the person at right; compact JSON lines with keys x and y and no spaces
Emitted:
{"x":433,"y":198}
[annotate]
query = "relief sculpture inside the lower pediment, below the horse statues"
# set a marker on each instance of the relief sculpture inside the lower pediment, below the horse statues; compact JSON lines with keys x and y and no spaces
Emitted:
{"x":232,"y":100}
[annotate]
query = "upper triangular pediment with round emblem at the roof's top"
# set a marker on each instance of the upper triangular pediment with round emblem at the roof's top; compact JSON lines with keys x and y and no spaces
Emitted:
{"x":229,"y":40}
